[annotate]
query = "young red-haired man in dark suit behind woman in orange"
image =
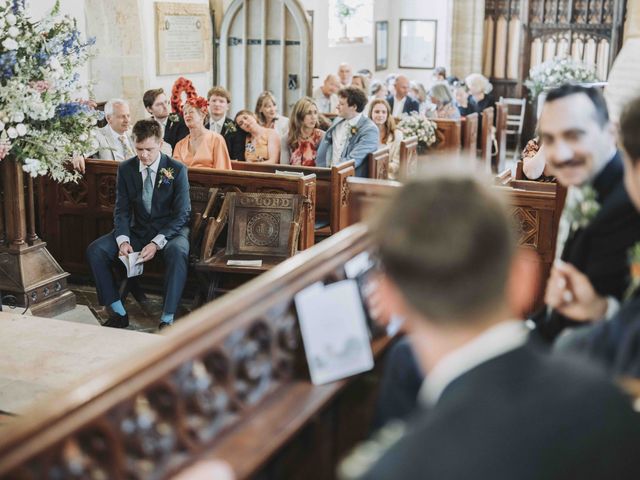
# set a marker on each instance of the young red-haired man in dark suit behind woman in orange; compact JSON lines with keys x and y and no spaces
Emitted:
{"x":219,"y":122}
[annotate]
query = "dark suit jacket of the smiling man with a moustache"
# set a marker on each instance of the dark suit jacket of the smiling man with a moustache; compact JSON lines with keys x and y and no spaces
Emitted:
{"x":600,"y":249}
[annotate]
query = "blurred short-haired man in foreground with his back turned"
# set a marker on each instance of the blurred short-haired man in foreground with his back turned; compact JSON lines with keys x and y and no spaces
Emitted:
{"x":493,"y":404}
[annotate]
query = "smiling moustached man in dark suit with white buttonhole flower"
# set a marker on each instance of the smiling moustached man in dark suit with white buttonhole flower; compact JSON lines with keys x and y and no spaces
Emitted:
{"x":598,"y":224}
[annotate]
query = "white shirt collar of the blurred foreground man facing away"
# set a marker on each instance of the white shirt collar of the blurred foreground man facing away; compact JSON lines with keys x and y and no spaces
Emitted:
{"x":493,"y":342}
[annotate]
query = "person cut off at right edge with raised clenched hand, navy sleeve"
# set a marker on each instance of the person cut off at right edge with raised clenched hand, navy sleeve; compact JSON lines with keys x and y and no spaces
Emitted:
{"x":615,"y":344}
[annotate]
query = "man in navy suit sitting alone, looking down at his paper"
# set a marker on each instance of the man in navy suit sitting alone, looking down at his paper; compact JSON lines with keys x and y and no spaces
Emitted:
{"x":151,"y":216}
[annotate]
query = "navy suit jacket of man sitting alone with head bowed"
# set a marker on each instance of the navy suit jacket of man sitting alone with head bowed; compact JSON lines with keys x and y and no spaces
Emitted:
{"x":170,"y":204}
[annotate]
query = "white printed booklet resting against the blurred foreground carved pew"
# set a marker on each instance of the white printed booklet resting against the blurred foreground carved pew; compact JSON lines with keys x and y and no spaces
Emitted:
{"x":334,"y":331}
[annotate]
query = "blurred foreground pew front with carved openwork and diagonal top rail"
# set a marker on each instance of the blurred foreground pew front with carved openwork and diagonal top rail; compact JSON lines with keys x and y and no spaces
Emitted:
{"x":230,"y":382}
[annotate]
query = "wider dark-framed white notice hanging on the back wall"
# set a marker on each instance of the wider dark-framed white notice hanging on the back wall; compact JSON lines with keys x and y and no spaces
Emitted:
{"x":417,"y":44}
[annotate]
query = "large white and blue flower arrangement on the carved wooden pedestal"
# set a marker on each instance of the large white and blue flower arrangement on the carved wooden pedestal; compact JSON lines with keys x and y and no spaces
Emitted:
{"x":43,"y":121}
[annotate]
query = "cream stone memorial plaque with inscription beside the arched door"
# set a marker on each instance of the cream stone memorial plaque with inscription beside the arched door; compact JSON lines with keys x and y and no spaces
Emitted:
{"x":183,"y":38}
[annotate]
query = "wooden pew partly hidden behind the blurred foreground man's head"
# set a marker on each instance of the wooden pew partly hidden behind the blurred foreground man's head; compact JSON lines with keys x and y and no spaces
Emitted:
{"x":535,"y":208}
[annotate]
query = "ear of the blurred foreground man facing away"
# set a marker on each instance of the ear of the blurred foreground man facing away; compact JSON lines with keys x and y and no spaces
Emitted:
{"x":523,"y":284}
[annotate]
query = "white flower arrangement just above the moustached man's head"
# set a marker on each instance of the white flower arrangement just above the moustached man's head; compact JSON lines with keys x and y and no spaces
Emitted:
{"x":555,"y":72}
